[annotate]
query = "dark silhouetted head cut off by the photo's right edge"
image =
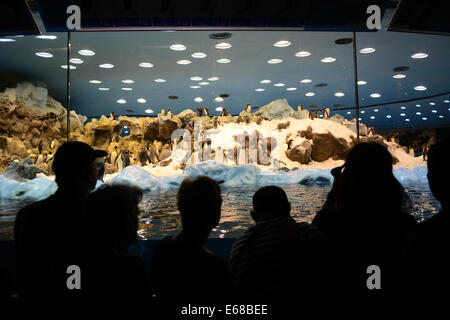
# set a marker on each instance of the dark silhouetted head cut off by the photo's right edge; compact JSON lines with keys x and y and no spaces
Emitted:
{"x":439,"y":171}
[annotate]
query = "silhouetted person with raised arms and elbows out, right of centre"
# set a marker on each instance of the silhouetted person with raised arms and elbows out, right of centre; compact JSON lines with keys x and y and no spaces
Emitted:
{"x":363,"y":218}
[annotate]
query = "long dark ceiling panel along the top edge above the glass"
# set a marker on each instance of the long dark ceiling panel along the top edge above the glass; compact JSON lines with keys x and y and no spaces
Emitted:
{"x":345,"y":15}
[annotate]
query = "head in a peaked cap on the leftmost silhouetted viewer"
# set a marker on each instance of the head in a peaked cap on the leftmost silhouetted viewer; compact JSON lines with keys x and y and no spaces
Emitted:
{"x":75,"y":167}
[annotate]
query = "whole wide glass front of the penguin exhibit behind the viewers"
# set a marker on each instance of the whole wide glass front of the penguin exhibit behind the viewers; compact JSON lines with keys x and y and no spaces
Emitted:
{"x":247,"y":108}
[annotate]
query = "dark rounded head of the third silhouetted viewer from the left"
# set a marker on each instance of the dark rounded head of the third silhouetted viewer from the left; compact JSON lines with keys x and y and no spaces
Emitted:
{"x":199,"y":201}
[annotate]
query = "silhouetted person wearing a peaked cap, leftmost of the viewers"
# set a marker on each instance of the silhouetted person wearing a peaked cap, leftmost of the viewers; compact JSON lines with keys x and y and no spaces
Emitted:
{"x":49,"y":234}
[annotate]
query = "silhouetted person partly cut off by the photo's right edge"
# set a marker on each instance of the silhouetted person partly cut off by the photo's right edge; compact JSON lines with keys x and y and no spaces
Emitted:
{"x":433,"y":238}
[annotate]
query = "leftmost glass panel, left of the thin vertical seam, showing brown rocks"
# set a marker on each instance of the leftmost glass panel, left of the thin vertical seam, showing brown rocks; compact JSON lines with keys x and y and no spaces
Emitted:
{"x":33,"y":119}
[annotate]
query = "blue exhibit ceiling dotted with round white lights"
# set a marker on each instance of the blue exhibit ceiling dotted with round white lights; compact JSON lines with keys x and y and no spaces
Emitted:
{"x":249,"y":54}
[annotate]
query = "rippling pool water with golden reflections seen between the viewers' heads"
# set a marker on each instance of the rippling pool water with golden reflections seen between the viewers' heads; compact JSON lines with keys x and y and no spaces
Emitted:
{"x":161,"y":216}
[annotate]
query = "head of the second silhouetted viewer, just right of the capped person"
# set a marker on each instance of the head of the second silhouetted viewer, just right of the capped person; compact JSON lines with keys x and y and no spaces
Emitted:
{"x":113,"y":213}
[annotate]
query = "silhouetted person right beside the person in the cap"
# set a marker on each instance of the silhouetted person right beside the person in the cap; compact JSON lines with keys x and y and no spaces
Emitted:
{"x":112,"y":222}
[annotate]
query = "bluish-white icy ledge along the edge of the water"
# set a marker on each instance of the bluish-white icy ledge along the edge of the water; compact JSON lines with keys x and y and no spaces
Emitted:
{"x":230,"y":176}
